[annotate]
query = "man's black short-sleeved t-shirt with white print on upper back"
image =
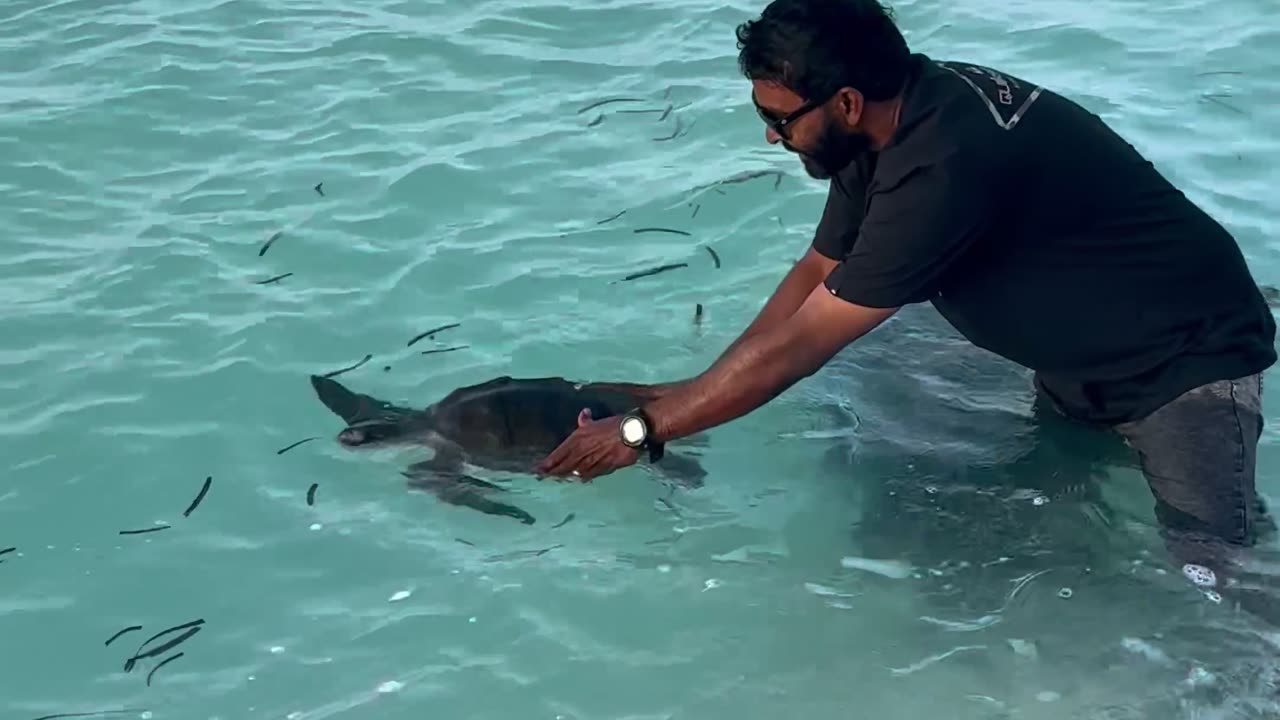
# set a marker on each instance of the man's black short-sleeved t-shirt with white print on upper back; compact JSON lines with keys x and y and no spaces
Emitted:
{"x":1045,"y":238}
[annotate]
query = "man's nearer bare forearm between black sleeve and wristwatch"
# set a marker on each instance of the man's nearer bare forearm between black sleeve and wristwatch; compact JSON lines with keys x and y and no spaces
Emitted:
{"x":764,"y":364}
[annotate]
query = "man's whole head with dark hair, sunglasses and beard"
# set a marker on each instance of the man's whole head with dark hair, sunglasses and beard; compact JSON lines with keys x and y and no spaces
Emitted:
{"x":820,"y":70}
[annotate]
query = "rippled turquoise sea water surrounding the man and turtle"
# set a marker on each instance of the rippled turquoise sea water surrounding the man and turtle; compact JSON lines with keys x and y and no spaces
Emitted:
{"x":149,"y":151}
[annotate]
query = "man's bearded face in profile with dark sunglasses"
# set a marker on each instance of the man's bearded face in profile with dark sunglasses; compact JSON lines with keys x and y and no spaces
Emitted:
{"x":825,"y":140}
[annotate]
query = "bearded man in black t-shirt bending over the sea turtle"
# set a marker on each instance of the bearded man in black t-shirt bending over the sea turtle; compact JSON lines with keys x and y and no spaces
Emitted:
{"x":1036,"y":231}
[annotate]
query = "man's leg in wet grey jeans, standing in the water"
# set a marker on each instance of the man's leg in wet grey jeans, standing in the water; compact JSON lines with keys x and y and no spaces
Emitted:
{"x":1199,"y":455}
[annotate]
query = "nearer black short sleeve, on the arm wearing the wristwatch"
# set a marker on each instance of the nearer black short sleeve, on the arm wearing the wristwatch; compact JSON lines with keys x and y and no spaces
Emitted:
{"x":915,"y":231}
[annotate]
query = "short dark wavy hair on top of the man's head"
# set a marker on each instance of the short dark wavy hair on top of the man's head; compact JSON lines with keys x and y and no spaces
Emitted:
{"x":817,"y":47}
